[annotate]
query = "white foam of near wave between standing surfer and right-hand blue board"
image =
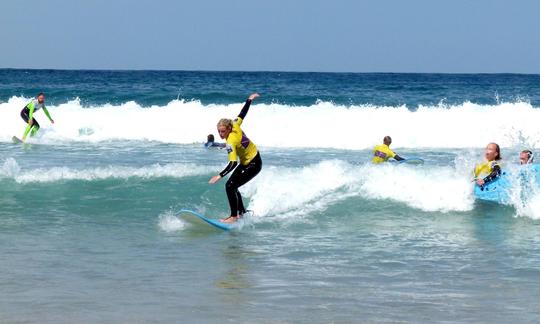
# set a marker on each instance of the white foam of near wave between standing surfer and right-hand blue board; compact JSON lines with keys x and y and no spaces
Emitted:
{"x":287,"y":193}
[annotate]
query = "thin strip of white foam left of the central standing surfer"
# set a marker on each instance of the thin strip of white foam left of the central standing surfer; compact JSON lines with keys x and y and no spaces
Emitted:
{"x":11,"y":169}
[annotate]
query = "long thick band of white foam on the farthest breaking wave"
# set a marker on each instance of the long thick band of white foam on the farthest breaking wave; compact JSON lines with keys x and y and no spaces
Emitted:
{"x":323,"y":125}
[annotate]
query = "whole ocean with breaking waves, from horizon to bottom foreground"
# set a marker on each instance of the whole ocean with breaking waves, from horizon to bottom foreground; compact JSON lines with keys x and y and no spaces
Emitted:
{"x":90,"y":229}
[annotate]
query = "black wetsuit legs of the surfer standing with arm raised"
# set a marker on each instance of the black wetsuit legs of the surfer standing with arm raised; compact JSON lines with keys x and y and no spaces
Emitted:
{"x":241,"y":175}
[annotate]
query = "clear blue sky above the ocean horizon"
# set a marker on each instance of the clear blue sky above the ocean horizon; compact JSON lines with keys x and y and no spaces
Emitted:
{"x":273,"y":35}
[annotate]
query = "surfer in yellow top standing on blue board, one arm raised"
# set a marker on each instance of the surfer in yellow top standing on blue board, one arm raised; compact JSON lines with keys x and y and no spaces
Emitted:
{"x":238,"y":146}
